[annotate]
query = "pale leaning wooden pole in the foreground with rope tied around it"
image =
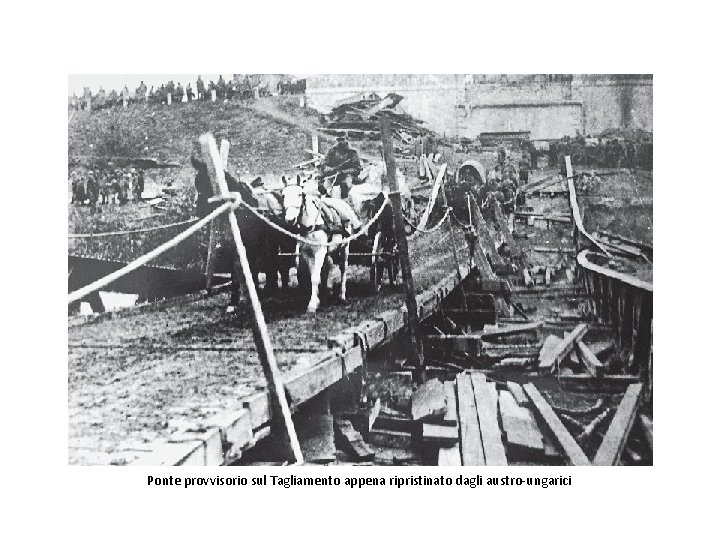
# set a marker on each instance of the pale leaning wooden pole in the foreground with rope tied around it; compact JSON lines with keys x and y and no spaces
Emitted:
{"x":282,"y":419}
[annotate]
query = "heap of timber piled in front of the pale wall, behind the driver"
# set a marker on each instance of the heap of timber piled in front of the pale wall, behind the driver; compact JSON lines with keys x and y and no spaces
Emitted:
{"x":360,"y":119}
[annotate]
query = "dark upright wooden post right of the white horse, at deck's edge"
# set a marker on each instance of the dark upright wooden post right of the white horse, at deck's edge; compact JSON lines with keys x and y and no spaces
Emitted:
{"x":396,"y":201}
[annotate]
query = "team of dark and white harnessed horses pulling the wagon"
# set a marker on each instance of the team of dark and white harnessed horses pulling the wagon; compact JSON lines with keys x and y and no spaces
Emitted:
{"x":325,"y":223}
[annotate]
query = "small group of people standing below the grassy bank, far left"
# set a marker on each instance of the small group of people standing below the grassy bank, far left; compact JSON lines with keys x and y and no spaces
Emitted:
{"x":107,"y":185}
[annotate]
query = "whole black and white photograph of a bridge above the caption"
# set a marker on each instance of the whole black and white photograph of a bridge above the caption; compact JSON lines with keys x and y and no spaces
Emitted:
{"x":360,"y":269}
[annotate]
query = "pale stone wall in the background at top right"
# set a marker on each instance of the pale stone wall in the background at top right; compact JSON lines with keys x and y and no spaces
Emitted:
{"x":549,"y":106}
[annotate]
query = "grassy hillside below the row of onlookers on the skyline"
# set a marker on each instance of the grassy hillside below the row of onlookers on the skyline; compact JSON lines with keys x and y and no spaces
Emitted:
{"x":262,"y":142}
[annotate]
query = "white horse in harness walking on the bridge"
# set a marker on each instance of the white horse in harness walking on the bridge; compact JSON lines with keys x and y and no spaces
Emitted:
{"x":303,"y":212}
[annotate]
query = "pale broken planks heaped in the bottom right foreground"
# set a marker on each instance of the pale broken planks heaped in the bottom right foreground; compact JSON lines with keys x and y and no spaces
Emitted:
{"x":489,"y":423}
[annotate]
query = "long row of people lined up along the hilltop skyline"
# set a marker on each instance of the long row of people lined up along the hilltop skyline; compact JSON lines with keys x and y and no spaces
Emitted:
{"x":172,"y":92}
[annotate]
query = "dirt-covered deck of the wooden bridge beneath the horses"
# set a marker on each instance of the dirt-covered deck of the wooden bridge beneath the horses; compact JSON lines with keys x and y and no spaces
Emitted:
{"x":145,"y":376}
